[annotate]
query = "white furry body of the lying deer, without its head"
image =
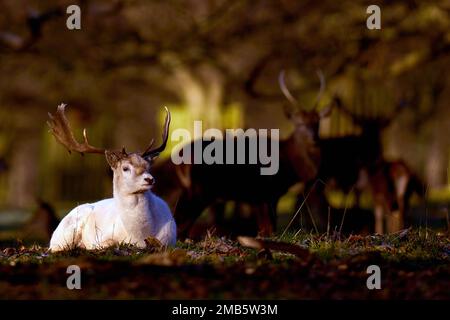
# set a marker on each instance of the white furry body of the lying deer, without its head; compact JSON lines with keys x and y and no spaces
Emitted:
{"x":109,"y":222}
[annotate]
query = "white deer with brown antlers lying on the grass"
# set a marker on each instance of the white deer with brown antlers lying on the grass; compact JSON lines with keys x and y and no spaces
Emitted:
{"x":132,"y":215}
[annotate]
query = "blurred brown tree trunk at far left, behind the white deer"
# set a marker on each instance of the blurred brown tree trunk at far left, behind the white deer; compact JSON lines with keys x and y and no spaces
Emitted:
{"x":23,"y":171}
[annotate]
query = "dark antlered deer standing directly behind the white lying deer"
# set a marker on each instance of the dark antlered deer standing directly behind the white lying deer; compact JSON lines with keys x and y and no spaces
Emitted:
{"x":299,"y":157}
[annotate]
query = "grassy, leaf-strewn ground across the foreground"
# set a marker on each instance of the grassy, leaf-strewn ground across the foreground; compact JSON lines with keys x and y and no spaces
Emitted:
{"x":414,"y":264}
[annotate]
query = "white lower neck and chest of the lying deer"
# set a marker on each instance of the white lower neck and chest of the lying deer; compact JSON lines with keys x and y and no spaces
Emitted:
{"x":135,"y":212}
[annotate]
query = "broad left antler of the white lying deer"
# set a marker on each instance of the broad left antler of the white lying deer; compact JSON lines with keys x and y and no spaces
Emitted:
{"x":60,"y":128}
